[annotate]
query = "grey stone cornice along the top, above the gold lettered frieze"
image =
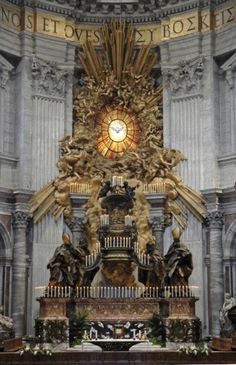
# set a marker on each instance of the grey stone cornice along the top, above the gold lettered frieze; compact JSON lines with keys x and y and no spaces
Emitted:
{"x":90,"y":11}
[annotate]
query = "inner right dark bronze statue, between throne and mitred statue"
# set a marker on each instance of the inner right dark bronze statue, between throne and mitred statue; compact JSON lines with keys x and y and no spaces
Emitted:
{"x":156,"y":275}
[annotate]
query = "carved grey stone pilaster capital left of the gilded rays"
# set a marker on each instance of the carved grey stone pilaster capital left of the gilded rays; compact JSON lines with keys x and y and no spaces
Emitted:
{"x":48,"y":78}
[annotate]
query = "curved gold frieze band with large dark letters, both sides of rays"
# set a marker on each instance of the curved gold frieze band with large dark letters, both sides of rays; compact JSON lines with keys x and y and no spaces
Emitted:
{"x":11,"y":17}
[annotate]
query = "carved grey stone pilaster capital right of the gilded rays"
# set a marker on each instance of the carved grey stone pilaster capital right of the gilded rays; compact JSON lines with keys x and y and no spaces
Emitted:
{"x":185,"y":78}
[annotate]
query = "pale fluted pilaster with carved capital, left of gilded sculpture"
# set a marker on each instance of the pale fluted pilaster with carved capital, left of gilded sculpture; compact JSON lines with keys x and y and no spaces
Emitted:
{"x":47,"y":129}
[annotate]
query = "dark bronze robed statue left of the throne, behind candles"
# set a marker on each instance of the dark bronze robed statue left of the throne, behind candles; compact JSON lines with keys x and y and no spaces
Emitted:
{"x":66,"y":264}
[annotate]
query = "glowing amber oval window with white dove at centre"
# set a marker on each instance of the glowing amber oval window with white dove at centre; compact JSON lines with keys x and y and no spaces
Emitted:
{"x":118,"y":131}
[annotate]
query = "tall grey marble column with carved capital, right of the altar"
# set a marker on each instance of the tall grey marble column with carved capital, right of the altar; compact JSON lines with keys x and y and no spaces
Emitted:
{"x":215,"y":221}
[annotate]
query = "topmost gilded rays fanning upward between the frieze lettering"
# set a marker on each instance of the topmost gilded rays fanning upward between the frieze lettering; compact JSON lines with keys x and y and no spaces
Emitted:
{"x":120,"y":54}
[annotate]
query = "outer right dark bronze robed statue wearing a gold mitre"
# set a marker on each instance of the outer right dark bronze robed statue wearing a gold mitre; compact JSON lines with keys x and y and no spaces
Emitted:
{"x":178,"y":261}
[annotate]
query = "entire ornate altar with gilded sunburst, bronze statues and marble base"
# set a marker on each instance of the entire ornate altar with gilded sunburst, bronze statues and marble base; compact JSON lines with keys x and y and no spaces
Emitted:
{"x":117,"y":191}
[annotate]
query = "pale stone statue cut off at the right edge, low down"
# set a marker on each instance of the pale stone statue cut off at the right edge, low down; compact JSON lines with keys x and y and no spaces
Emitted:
{"x":226,"y":328}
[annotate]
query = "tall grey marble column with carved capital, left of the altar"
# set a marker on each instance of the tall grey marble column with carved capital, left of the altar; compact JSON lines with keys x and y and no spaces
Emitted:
{"x":19,"y":287}
